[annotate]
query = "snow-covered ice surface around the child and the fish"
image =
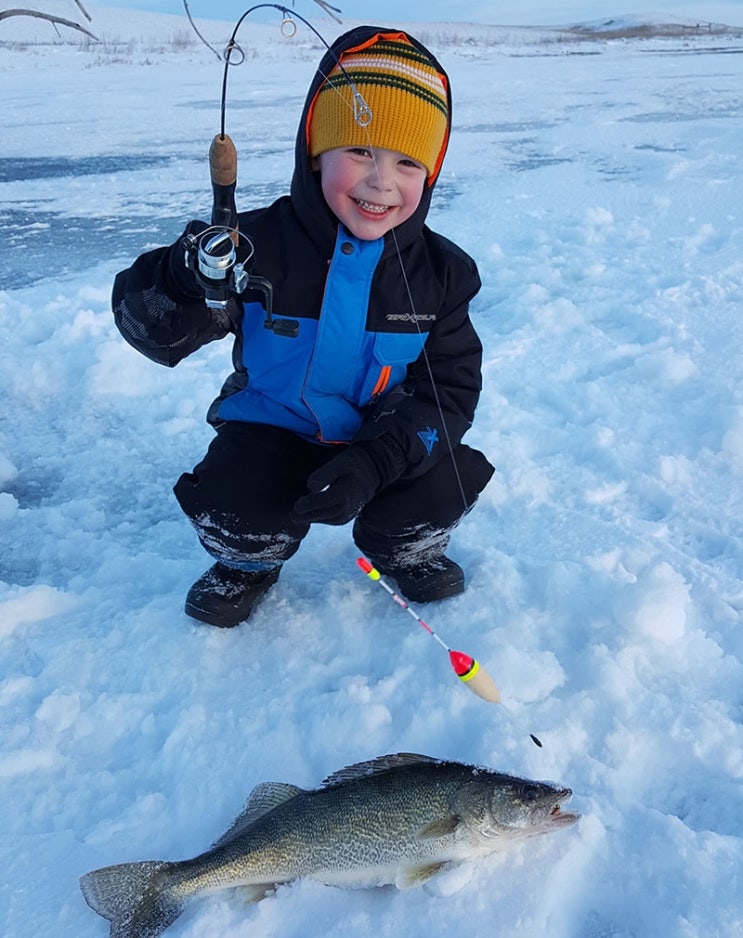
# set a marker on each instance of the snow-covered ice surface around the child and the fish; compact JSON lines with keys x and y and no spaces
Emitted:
{"x":599,"y":185}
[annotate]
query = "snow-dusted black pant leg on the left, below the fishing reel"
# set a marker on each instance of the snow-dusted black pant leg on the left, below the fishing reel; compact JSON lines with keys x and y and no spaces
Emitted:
{"x":238,"y":498}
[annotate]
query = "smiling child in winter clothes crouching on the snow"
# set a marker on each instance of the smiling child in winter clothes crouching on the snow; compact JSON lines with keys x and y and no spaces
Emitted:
{"x":361,"y":414}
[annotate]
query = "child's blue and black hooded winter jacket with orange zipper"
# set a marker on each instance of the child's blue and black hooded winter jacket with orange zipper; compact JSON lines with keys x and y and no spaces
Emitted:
{"x":365,"y":309}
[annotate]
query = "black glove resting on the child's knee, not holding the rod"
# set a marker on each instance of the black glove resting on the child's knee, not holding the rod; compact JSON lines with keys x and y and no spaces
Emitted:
{"x":341,"y":488}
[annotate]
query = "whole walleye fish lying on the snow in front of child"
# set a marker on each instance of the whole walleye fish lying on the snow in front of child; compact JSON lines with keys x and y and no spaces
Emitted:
{"x":396,"y":819}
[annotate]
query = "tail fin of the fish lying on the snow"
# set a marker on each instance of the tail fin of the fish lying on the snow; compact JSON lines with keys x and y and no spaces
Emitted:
{"x":134,"y":897}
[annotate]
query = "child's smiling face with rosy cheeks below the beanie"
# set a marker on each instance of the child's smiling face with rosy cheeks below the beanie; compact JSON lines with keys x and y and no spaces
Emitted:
{"x":370,"y":189}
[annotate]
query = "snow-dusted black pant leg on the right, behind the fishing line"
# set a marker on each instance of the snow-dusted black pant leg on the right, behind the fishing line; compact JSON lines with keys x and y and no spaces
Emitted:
{"x":412,"y":520}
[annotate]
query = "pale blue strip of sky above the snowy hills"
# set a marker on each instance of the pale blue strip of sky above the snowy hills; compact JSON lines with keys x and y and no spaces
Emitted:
{"x":506,"y":12}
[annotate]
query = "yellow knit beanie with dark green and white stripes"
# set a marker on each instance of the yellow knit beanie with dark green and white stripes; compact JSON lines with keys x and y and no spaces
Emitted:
{"x":404,"y":92}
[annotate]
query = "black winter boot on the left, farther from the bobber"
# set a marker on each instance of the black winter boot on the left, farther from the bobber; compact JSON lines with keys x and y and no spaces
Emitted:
{"x":225,"y":597}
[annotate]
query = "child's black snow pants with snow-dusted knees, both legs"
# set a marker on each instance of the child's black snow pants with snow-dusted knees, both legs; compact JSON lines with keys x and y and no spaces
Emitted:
{"x":239,"y":499}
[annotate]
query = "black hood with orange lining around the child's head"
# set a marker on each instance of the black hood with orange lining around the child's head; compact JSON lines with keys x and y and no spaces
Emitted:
{"x":306,"y":193}
